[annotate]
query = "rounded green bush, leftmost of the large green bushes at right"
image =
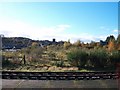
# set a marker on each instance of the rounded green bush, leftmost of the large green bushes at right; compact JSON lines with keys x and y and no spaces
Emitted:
{"x":77,"y":58}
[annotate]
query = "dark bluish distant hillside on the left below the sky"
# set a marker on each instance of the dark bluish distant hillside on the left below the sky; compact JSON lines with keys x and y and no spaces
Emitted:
{"x":21,"y":42}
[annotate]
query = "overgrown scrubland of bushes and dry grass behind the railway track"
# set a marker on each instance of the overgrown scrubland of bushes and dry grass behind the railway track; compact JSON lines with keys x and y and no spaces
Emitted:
{"x":65,"y":57}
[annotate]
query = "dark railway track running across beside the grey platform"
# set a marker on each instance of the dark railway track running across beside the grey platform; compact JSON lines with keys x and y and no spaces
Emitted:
{"x":59,"y":75}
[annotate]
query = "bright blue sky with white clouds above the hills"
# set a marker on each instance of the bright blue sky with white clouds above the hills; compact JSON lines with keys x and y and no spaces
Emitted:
{"x":87,"y":21}
